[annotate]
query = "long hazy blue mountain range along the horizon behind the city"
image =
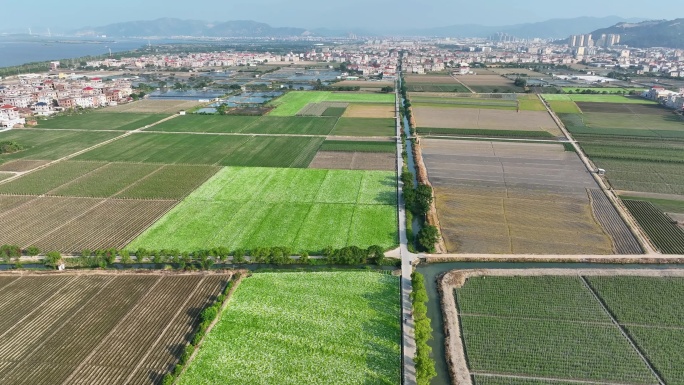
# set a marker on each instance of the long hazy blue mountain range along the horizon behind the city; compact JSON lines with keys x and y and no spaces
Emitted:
{"x":167,"y":27}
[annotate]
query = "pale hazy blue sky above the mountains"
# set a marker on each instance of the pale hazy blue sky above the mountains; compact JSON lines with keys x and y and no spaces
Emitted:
{"x":74,"y":14}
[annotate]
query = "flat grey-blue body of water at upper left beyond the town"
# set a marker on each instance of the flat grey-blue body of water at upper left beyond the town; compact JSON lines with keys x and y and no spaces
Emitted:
{"x":14,"y":53}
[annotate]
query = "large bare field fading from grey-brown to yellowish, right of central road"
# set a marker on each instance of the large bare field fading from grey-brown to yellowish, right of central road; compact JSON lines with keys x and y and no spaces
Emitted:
{"x":513,"y":198}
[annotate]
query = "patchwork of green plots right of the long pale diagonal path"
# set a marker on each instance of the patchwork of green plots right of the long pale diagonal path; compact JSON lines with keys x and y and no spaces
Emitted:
{"x":640,"y":145}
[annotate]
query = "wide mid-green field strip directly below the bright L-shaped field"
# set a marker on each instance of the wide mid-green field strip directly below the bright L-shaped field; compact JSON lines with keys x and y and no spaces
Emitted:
{"x":249,"y":124}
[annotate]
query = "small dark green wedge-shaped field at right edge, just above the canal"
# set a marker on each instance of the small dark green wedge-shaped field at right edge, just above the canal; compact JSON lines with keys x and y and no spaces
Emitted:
{"x":667,"y":236}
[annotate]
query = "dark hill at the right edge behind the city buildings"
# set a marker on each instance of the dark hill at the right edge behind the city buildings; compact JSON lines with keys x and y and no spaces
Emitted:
{"x":659,"y":33}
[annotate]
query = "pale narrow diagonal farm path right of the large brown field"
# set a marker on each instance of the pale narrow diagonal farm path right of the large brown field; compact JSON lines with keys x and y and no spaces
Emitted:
{"x":629,"y":220}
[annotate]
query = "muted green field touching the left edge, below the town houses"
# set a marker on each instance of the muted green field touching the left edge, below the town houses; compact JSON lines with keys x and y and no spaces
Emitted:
{"x":51,"y":145}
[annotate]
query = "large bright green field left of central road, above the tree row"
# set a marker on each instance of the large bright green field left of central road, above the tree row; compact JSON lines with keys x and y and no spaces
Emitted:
{"x":304,"y":209}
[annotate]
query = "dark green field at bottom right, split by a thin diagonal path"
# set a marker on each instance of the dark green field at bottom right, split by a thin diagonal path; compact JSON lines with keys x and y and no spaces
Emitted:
{"x":544,"y":329}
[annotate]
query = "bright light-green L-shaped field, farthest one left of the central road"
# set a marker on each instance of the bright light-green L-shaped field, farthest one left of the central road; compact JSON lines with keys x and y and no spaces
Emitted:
{"x":292,"y":102}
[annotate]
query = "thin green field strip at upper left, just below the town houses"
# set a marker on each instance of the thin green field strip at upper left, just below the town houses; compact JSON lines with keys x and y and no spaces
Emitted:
{"x":102,"y":121}
